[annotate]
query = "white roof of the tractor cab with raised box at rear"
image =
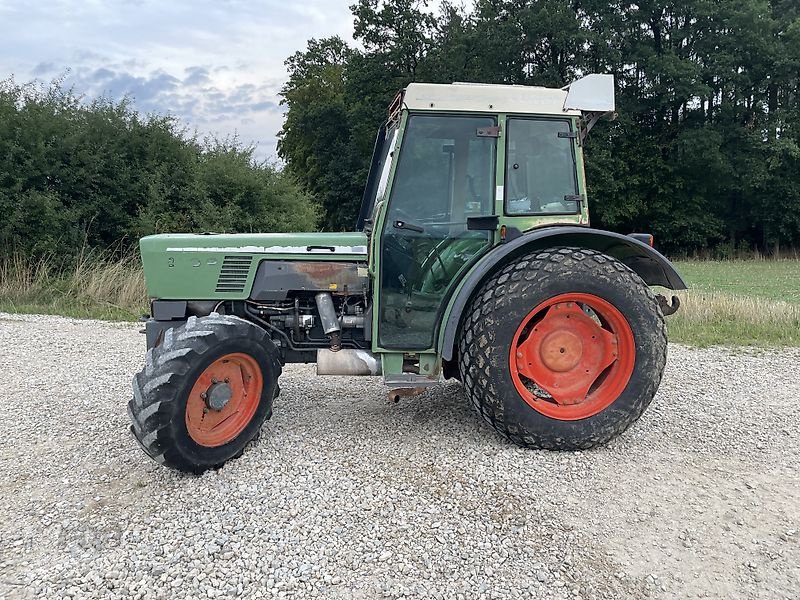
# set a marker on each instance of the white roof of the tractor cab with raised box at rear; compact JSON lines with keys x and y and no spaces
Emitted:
{"x":591,"y":93}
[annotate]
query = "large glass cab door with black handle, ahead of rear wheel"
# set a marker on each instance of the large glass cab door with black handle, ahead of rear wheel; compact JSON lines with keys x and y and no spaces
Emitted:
{"x":445,"y":175}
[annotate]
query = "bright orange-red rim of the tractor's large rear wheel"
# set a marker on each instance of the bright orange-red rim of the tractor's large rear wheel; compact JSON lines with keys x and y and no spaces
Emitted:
{"x":572,"y":356}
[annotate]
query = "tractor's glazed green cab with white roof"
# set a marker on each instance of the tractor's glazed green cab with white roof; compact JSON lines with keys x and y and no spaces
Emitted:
{"x":455,"y":169}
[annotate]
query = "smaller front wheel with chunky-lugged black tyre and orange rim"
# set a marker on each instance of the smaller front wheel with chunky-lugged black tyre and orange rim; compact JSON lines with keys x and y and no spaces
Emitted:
{"x":204,"y":393}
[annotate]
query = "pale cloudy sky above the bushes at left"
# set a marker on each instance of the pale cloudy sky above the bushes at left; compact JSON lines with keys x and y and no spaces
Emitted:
{"x":218,"y":65}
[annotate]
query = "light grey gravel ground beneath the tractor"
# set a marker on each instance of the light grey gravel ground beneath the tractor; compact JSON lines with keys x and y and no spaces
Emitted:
{"x":346,"y":495}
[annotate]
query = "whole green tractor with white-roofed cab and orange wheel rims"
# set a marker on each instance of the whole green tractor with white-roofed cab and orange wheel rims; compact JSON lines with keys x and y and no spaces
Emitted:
{"x":473,"y":259}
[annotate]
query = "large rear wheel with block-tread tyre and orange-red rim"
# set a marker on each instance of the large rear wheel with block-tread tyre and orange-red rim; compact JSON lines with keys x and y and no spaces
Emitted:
{"x":562,"y":349}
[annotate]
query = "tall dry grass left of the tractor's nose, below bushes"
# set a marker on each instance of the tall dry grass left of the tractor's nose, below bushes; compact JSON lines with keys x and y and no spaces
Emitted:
{"x":96,"y":284}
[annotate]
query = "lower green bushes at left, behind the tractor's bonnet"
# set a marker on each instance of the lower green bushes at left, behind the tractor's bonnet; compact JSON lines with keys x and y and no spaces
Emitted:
{"x":77,"y":173}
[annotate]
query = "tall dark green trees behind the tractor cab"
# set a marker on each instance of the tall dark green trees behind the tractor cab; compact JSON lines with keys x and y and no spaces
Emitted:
{"x":704,"y":153}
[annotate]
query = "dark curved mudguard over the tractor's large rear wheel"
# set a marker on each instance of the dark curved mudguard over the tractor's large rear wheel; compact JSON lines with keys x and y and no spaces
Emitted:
{"x":652,"y":266}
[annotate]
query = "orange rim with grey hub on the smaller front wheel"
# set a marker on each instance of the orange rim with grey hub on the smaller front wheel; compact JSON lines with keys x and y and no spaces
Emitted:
{"x":224,"y":399}
